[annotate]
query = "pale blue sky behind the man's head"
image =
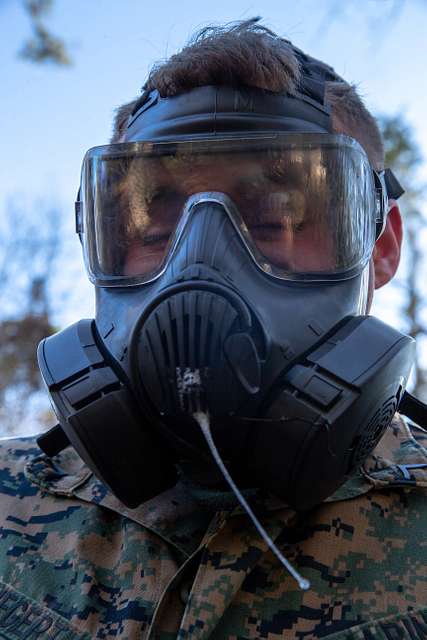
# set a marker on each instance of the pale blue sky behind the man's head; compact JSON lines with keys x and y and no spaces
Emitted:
{"x":49,"y":116}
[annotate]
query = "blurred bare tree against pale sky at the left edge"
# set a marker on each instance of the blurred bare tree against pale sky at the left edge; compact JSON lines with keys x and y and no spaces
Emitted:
{"x":29,"y":247}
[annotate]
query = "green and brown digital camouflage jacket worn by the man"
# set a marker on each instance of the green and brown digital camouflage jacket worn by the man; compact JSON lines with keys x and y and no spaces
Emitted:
{"x":75,"y":564}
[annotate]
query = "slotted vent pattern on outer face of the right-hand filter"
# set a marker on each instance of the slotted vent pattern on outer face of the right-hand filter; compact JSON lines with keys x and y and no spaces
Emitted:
{"x":366,"y":442}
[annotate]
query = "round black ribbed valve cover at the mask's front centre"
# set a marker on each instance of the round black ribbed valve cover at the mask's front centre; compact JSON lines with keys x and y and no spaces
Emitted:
{"x":197,"y":351}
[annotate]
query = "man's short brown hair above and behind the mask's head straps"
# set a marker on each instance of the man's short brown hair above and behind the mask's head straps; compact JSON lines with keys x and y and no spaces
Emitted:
{"x":247,"y":53}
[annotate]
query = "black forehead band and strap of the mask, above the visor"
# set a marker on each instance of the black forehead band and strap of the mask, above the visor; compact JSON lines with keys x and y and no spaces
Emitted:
{"x":222,"y":109}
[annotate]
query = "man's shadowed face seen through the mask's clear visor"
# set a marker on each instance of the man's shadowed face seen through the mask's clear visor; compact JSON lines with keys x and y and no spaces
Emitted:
{"x":278,"y":208}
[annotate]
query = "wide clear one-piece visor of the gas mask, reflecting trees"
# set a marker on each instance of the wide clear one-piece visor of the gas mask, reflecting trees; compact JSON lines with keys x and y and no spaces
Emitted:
{"x":306,"y":205}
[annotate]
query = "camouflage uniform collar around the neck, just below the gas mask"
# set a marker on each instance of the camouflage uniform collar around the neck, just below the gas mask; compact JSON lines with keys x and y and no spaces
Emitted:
{"x":399,"y":460}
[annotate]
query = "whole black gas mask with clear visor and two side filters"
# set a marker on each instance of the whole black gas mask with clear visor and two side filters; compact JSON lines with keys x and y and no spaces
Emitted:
{"x":229,"y":241}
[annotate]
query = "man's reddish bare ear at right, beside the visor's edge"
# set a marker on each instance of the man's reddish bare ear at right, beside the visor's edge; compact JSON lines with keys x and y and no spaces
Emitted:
{"x":386,"y":255}
